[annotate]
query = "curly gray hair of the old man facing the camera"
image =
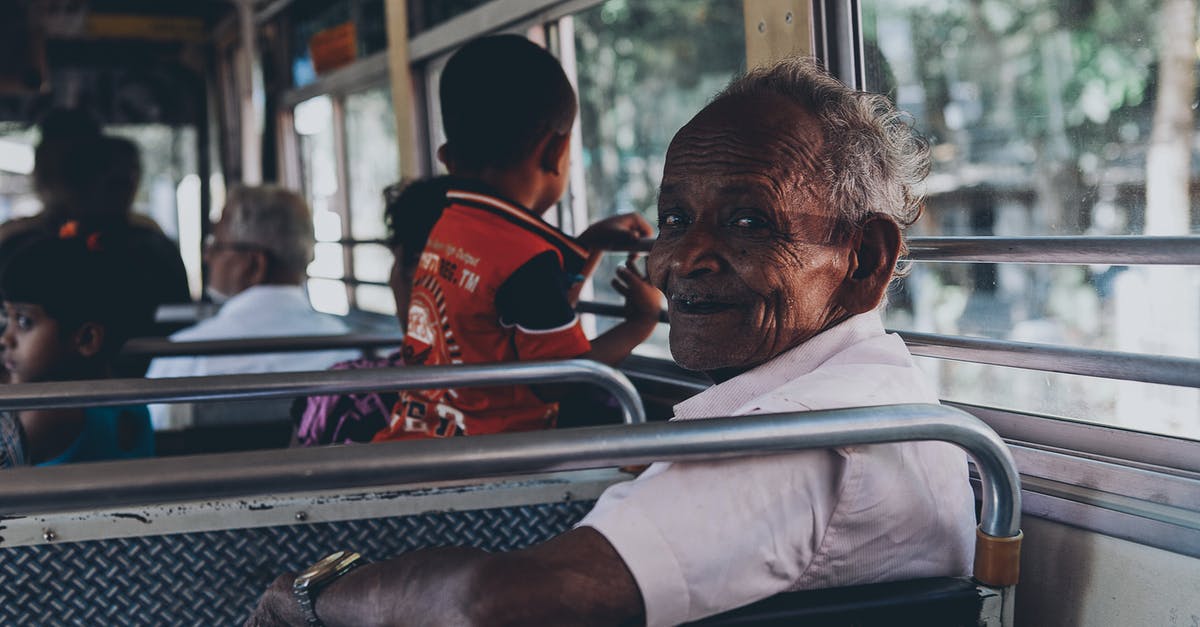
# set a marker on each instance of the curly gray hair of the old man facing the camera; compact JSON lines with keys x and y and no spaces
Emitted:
{"x":873,"y":159}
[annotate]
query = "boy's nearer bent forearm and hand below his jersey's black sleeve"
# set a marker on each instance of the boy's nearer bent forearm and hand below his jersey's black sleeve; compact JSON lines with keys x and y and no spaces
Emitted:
{"x":644,"y":304}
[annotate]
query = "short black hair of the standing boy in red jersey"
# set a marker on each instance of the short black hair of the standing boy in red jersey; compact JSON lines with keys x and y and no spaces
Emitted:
{"x":501,"y":95}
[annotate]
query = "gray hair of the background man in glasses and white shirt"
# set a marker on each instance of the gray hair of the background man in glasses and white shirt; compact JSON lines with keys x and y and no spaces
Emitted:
{"x":277,"y":219}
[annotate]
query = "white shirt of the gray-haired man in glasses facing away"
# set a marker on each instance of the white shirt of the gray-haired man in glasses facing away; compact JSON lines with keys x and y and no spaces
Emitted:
{"x":260,"y":312}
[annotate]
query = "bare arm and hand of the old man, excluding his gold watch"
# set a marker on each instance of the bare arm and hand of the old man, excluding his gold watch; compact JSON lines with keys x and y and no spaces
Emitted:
{"x":577,"y":580}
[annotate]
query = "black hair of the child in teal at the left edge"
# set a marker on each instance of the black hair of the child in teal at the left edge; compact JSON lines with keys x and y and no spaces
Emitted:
{"x":80,"y":278}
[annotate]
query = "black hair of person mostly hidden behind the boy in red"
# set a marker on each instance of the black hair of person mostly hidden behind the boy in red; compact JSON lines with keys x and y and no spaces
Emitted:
{"x":411,"y":212}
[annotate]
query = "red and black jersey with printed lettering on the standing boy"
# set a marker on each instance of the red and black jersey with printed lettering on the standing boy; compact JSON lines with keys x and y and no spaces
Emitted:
{"x":491,"y":286}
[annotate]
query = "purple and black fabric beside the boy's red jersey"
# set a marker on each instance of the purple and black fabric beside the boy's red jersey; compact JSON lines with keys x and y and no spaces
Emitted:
{"x":346,"y":419}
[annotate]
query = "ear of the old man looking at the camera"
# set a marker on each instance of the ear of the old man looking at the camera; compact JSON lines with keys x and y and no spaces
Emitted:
{"x":874,"y":250}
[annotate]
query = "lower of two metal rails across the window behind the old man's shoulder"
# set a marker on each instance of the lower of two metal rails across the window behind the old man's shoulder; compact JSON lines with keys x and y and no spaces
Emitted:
{"x":1042,"y":357}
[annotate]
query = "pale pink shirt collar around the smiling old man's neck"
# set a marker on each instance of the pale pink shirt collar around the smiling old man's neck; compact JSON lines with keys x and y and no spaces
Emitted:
{"x":725,"y":398}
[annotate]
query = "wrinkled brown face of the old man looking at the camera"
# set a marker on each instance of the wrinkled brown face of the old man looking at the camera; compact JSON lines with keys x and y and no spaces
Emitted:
{"x":746,"y":253}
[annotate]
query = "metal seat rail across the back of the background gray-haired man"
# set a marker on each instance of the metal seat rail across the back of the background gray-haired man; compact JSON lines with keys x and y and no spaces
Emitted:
{"x":165,"y":348}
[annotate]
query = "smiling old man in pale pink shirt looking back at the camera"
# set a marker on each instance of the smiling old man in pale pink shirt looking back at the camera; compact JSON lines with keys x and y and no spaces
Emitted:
{"x":781,"y":222}
